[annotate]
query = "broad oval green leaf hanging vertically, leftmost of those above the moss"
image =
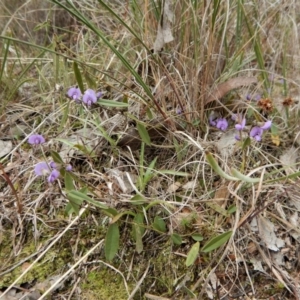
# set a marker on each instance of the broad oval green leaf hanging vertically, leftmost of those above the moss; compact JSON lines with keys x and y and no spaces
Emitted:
{"x":112,"y":240}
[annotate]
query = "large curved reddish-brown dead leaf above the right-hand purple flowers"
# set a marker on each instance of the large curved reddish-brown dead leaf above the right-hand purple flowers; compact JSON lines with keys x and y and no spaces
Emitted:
{"x":223,"y":88}
